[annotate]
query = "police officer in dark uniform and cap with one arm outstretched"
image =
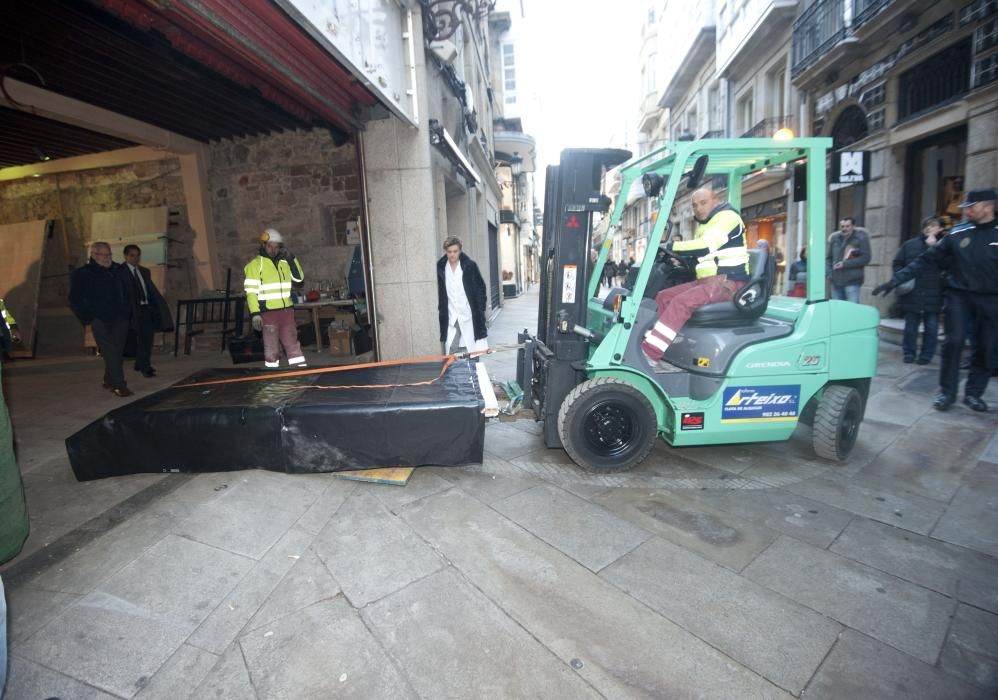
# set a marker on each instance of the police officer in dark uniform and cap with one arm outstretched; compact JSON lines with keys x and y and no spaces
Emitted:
{"x":969,"y":254}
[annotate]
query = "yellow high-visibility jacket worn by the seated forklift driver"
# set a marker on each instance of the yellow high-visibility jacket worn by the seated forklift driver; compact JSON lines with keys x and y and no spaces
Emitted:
{"x":719,"y":244}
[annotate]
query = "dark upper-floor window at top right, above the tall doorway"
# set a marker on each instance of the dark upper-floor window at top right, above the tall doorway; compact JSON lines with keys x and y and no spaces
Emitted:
{"x":935,"y":81}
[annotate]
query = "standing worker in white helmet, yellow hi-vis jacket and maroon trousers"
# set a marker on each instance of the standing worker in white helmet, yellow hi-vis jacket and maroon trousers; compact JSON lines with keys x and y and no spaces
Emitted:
{"x":269,"y":277}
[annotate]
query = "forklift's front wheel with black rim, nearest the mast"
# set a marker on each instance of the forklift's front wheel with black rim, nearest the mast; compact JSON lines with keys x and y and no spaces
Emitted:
{"x":607,"y":425}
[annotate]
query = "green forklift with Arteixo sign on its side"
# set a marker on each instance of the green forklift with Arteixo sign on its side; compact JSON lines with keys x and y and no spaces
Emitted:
{"x":743,"y":371}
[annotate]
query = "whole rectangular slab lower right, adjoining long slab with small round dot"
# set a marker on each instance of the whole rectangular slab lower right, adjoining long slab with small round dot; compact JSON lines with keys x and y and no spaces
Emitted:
{"x":728,"y":611}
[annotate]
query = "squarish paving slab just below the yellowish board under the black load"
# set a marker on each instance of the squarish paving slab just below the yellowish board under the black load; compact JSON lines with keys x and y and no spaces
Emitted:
{"x":370,"y":552}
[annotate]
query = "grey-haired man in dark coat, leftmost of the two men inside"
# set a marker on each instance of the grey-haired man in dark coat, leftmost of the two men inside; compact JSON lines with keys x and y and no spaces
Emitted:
{"x":99,"y":297}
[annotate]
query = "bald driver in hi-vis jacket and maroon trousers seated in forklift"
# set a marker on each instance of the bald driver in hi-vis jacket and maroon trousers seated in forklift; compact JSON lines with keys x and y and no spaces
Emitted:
{"x":721,"y":270}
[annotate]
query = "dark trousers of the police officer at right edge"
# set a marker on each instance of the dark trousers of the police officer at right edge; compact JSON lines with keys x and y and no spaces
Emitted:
{"x":959,"y":305}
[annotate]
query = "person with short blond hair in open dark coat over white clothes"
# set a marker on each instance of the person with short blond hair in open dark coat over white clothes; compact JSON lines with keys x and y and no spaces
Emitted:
{"x":461,"y":299}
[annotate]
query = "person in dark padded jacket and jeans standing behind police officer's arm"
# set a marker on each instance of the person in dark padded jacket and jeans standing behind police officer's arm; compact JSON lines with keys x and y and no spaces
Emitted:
{"x":923,"y":303}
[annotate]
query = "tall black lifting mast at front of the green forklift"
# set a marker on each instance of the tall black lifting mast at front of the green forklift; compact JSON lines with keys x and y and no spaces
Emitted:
{"x":571,"y":195}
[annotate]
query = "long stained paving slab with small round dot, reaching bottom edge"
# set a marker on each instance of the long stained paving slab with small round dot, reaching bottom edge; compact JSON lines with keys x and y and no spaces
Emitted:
{"x":618,"y":645}
